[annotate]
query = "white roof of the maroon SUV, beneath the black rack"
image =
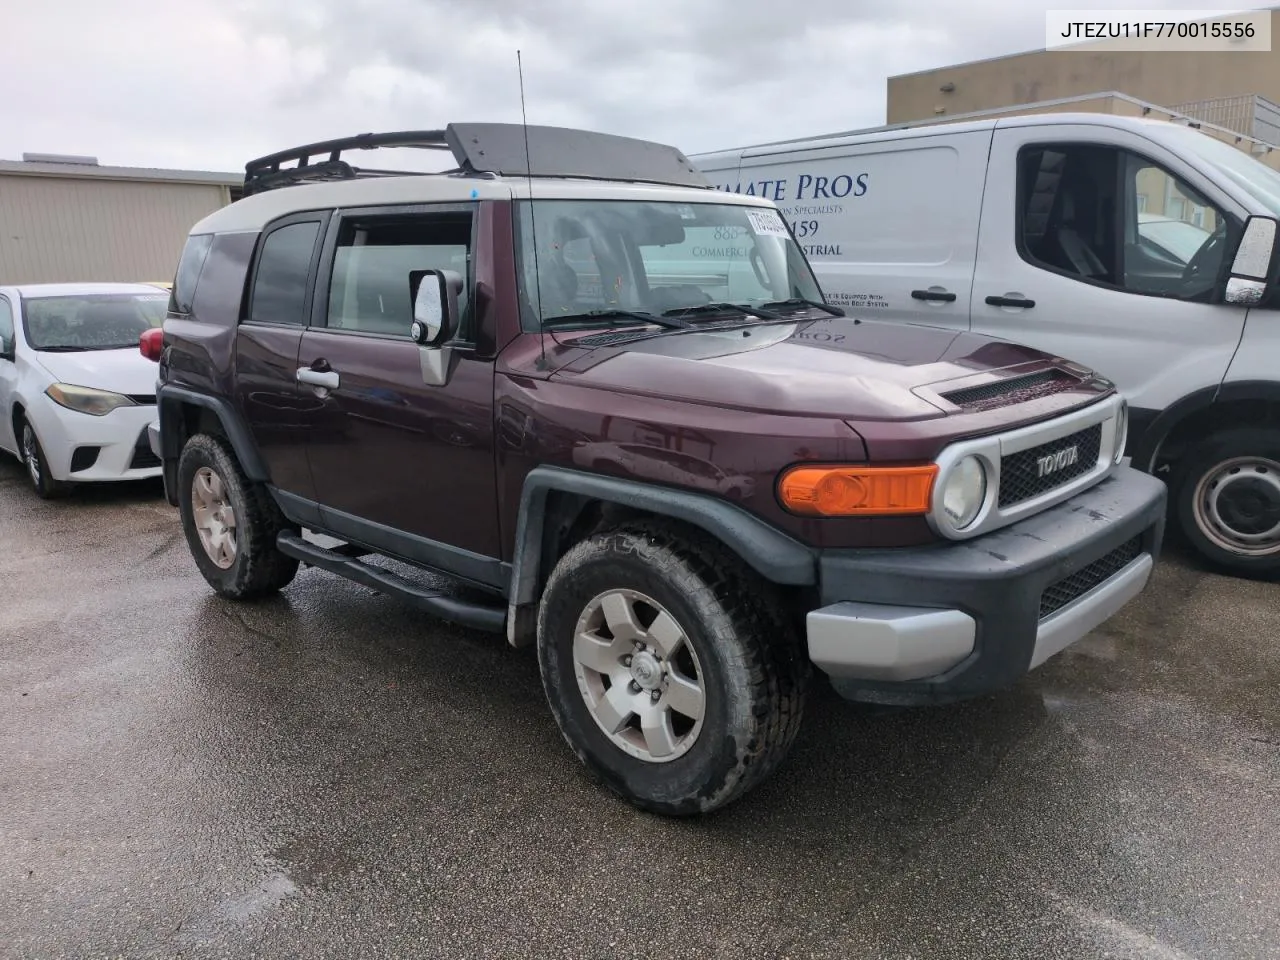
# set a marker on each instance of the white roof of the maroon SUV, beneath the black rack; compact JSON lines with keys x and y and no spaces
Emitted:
{"x":254,"y":212}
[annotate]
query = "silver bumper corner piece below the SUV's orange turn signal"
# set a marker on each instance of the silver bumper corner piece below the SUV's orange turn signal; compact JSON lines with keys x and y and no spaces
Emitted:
{"x":879,"y":642}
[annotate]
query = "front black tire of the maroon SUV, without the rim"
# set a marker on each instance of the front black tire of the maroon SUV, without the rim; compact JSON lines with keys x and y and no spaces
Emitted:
{"x":756,"y":671}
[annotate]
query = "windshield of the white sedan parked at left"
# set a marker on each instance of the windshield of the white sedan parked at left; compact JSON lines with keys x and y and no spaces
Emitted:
{"x":92,"y":322}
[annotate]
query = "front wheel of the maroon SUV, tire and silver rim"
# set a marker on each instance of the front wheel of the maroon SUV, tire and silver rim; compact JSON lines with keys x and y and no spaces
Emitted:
{"x":670,"y":668}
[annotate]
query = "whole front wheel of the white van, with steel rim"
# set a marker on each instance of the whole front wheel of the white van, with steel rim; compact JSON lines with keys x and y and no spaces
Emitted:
{"x":1228,"y":499}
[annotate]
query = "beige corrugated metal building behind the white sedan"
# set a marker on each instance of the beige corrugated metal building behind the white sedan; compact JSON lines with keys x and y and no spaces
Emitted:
{"x":68,"y":220}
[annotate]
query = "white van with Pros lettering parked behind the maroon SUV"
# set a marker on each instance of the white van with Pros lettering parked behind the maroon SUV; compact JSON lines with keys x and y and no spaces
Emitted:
{"x":1107,"y":240}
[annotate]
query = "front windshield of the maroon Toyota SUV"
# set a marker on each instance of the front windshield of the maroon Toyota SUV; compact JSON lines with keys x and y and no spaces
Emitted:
{"x":653,"y":258}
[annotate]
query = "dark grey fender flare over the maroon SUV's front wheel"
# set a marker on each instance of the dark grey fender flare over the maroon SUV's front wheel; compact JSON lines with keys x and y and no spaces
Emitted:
{"x":772,"y":554}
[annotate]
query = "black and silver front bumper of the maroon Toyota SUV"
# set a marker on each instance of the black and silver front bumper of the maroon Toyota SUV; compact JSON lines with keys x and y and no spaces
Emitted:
{"x":958,"y":620}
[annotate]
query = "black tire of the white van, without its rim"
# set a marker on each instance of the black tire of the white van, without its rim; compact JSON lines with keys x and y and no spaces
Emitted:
{"x":1204,"y":461}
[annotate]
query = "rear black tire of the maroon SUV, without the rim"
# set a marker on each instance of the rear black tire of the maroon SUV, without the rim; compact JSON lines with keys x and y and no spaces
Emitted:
{"x":259,"y":569}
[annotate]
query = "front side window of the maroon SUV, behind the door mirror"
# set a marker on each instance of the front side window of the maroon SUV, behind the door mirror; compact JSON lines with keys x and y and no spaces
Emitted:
{"x":369,"y":291}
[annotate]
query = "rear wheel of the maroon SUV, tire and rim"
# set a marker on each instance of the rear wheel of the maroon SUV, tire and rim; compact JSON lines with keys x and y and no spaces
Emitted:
{"x":231,"y":524}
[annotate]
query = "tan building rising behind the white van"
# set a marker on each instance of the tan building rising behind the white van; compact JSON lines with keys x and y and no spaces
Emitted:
{"x":1237,"y":92}
